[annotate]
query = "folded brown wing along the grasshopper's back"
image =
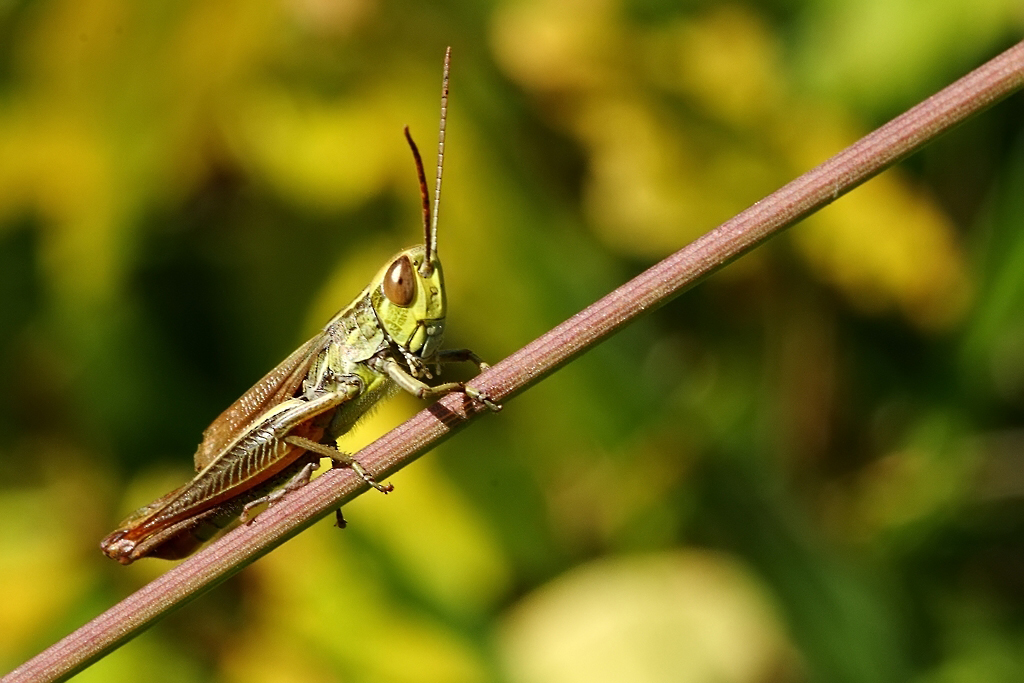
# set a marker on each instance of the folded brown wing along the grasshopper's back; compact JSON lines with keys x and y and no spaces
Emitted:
{"x":277,"y":387}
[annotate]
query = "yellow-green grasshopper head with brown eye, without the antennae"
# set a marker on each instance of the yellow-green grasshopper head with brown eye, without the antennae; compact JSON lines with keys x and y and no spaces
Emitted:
{"x":410,"y":305}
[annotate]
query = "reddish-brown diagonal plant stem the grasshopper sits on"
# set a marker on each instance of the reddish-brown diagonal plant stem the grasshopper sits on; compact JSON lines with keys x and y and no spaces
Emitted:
{"x":810,"y":192}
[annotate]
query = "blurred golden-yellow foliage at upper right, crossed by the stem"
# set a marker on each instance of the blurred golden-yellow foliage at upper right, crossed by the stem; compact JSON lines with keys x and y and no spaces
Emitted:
{"x":655,"y":184}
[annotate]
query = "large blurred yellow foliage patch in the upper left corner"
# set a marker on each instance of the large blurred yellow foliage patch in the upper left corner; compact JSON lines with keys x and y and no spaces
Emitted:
{"x":124,"y":104}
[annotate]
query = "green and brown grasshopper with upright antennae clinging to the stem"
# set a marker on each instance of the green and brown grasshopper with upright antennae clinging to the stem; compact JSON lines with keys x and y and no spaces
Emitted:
{"x":270,"y":442}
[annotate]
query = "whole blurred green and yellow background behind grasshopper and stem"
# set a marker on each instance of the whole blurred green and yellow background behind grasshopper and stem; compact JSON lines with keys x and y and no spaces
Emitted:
{"x":808,"y":468}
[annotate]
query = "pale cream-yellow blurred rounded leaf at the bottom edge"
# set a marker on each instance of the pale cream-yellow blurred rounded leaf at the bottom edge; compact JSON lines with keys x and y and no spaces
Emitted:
{"x":690,"y":616}
